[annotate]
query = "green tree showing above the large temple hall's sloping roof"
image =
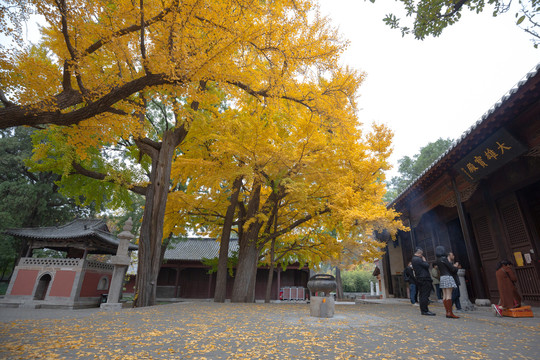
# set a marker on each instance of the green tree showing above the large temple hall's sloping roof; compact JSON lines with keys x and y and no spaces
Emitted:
{"x":412,"y":168}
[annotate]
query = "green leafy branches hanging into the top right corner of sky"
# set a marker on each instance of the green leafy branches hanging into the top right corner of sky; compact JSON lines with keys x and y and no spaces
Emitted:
{"x":431,"y":17}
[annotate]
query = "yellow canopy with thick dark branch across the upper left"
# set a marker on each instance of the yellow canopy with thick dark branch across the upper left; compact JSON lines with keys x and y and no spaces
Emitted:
{"x":95,"y":55}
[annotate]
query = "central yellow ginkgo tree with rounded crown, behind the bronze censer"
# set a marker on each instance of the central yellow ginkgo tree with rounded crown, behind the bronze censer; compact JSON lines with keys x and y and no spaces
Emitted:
{"x":301,"y":169}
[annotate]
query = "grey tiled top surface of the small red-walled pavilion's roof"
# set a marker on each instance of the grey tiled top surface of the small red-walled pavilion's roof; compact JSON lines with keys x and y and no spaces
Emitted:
{"x":77,"y":229}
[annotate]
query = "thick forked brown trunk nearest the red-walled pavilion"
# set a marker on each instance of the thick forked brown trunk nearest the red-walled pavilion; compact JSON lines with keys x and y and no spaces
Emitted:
{"x":150,"y":239}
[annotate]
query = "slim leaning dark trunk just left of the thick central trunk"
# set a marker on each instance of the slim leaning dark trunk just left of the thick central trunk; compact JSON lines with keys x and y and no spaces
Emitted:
{"x":221,"y":276}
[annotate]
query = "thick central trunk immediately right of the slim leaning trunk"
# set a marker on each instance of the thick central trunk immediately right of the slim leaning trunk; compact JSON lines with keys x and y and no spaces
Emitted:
{"x":248,"y":250}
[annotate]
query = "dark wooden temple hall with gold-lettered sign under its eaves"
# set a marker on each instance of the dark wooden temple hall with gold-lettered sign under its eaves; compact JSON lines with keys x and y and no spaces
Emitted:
{"x":481,"y":200}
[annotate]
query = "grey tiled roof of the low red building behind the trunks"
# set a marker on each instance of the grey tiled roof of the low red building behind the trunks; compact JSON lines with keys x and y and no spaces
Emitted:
{"x":195,"y":248}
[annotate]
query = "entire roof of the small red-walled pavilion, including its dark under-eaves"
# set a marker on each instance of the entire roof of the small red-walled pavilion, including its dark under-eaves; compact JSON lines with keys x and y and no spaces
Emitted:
{"x":93,"y":233}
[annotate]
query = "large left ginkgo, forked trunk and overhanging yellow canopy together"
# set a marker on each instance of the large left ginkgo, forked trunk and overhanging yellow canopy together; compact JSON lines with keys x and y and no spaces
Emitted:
{"x":99,"y":63}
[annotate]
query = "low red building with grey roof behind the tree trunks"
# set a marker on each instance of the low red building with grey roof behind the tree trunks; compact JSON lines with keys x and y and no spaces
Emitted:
{"x":183,"y":274}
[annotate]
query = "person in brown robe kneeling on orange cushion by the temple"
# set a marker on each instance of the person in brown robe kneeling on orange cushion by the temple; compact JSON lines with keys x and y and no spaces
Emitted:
{"x":506,"y":282}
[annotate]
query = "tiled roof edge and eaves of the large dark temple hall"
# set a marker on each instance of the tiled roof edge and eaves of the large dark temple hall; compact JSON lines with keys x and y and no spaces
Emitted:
{"x":524,"y":93}
